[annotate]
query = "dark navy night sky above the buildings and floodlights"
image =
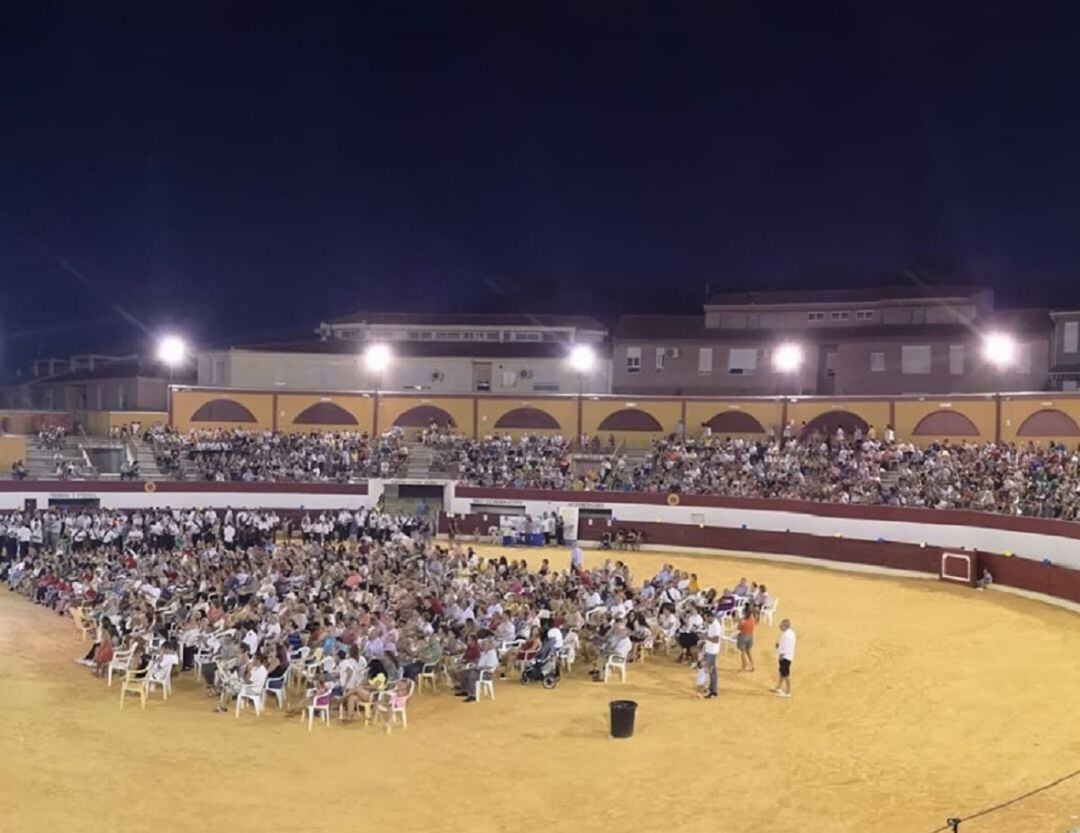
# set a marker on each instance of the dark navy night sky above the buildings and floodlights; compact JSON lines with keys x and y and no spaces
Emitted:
{"x":242,"y":171}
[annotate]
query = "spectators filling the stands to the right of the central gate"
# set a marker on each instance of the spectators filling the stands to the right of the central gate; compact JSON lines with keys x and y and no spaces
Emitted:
{"x":1027,"y":479}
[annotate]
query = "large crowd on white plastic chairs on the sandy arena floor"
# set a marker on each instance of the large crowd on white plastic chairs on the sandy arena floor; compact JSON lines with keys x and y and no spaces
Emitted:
{"x":360,"y":604}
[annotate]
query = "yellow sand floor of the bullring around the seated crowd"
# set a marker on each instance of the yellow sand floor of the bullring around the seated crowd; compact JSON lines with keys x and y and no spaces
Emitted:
{"x":913,"y":702}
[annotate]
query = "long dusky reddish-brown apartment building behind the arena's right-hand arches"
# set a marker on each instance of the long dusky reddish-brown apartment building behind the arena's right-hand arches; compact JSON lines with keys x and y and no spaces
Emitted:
{"x":885,"y":341}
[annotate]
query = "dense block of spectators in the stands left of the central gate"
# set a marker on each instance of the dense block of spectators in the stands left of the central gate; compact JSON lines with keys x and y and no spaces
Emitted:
{"x":240,"y":455}
